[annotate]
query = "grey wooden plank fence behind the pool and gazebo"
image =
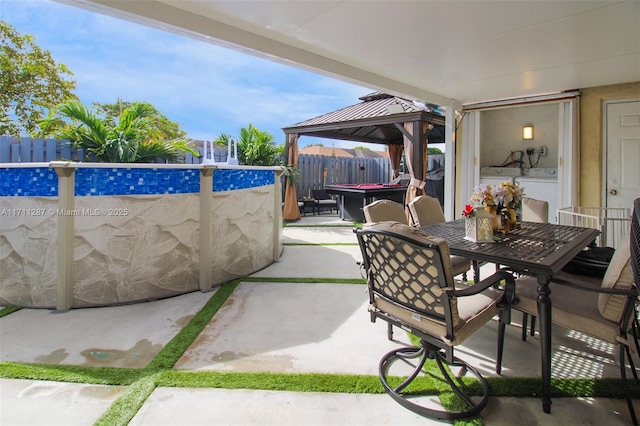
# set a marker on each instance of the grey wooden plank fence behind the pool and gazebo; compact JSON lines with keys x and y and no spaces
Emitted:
{"x":316,"y":171}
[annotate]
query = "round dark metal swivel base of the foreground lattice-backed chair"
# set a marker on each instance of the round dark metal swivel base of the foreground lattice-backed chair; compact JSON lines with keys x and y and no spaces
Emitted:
{"x":415,"y":358}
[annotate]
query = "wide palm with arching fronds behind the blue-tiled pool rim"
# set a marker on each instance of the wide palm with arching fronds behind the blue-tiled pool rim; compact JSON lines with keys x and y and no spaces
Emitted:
{"x":133,"y":137}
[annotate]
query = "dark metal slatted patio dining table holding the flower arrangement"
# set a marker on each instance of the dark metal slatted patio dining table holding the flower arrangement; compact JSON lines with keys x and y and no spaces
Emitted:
{"x":537,"y":249}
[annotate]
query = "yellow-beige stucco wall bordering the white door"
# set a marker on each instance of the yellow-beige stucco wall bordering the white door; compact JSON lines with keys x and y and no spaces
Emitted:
{"x":591,"y":137}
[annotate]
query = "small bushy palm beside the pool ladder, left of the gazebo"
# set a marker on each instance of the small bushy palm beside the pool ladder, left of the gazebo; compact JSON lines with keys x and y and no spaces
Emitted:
{"x":255,"y":147}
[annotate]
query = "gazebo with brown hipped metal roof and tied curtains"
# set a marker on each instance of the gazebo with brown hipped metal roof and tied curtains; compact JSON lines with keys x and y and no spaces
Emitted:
{"x":380,"y":118}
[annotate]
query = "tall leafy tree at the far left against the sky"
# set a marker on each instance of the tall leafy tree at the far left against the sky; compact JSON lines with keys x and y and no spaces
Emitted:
{"x":31,"y":83}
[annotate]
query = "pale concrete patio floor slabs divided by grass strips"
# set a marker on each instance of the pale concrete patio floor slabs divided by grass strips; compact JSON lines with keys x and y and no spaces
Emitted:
{"x":283,"y":327}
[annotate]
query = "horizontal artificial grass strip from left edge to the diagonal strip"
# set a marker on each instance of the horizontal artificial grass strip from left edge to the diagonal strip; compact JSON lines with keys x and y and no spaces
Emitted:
{"x":71,"y":373}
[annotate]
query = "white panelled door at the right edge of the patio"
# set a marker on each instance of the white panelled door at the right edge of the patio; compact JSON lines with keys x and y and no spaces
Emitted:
{"x":622,"y":153}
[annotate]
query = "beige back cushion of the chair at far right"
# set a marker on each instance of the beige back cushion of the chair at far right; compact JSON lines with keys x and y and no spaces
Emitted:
{"x":619,"y":275}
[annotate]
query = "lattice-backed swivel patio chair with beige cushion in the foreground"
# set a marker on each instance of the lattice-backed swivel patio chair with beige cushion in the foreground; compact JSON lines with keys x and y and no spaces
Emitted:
{"x":410,"y":285}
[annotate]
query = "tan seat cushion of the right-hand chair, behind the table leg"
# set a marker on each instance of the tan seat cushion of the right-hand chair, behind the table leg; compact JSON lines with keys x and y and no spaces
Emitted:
{"x":571,"y":308}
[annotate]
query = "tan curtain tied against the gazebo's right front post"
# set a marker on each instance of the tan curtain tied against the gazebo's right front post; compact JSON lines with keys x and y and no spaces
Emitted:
{"x":415,"y":148}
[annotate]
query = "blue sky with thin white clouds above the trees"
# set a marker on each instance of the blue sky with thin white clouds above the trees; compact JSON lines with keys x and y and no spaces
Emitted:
{"x":206,"y":88}
